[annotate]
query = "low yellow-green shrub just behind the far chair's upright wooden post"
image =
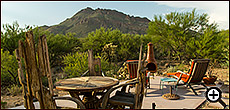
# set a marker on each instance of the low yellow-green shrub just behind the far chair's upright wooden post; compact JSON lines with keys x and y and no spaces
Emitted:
{"x":77,"y":64}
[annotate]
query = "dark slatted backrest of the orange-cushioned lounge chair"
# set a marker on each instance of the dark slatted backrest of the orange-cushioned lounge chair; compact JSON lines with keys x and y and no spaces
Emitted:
{"x":198,"y":71}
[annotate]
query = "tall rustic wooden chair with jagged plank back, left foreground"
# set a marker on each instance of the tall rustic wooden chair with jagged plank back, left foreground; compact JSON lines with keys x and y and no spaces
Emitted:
{"x":37,"y":68}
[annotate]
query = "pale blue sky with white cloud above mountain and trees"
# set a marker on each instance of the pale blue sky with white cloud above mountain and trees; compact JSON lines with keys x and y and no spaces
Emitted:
{"x":50,"y":13}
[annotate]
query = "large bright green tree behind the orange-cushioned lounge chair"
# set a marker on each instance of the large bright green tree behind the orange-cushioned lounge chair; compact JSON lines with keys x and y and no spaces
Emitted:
{"x":186,"y":35}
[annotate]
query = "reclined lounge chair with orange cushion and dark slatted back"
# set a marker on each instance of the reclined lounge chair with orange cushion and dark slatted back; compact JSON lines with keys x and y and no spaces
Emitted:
{"x":194,"y":76}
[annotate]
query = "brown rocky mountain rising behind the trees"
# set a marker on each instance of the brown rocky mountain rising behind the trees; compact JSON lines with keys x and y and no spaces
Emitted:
{"x":88,"y":20}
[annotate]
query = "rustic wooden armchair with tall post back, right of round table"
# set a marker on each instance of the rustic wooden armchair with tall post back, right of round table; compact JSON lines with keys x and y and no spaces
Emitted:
{"x":122,"y":98}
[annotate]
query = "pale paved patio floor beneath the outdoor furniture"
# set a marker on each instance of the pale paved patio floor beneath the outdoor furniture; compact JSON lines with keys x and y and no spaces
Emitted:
{"x":187,"y":98}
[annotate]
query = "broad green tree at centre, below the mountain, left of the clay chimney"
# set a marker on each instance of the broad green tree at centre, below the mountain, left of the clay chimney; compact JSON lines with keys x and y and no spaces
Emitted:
{"x":127,"y":44}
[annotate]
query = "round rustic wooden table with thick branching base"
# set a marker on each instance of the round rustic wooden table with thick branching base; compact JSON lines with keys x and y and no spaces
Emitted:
{"x":88,"y":87}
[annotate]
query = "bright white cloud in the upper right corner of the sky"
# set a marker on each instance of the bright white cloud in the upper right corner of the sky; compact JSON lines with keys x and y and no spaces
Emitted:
{"x":218,"y":11}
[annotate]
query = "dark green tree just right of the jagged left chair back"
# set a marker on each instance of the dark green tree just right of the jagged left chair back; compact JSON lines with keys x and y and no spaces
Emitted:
{"x":58,"y":45}
